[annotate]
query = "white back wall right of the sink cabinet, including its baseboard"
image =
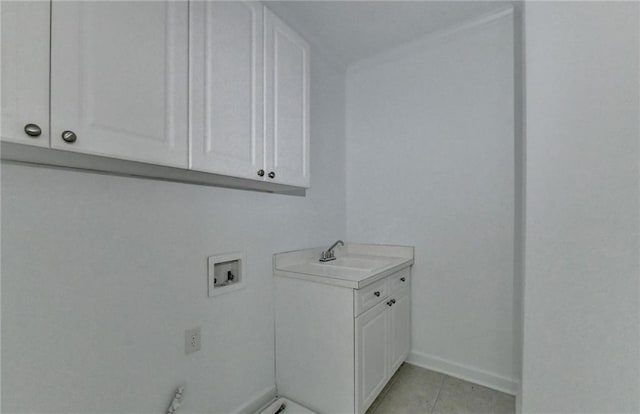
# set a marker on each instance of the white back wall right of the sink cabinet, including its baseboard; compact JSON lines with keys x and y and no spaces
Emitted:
{"x":430,"y":163}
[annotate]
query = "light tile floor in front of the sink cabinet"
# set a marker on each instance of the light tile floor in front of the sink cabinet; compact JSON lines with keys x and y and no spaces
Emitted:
{"x":415,"y":390}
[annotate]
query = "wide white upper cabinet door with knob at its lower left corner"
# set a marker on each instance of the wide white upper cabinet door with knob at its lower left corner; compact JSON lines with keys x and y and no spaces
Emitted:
{"x":119,"y":79}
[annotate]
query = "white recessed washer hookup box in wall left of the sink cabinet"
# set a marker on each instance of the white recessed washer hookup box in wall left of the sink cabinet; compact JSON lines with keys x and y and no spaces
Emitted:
{"x":225,"y":273}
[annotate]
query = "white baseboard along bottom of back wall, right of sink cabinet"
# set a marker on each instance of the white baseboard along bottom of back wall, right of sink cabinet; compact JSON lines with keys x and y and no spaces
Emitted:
{"x":465,"y":372}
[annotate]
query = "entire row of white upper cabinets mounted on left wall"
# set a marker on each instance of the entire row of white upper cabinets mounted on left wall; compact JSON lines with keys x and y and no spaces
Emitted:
{"x":211,"y":86}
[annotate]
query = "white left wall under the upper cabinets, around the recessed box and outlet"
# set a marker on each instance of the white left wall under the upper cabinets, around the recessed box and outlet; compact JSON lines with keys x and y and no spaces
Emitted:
{"x":101,"y":276}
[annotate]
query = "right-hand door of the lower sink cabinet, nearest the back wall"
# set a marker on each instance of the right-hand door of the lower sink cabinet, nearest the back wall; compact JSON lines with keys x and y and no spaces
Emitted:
{"x":400,"y":332}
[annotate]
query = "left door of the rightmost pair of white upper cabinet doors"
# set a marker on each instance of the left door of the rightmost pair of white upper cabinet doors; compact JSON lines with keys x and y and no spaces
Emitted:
{"x":226,"y":41}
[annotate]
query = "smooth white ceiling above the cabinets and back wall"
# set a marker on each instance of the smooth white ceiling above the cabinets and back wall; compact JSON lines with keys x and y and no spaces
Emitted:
{"x":354,"y":30}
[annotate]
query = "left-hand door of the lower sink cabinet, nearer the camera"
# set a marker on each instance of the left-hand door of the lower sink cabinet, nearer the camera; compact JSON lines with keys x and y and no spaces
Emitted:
{"x":372,"y":354}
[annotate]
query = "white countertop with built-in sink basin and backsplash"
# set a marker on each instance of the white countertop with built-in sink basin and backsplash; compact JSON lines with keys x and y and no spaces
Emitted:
{"x":356,"y":265}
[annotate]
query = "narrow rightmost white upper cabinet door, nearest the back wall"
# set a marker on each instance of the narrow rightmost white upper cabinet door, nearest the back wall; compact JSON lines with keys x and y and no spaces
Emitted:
{"x":286,"y":103}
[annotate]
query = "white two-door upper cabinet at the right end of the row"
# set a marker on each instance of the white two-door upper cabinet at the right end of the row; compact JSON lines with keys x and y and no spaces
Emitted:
{"x":249,"y":84}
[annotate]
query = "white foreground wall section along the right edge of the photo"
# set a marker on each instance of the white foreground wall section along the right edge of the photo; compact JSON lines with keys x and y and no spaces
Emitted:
{"x":581,"y":311}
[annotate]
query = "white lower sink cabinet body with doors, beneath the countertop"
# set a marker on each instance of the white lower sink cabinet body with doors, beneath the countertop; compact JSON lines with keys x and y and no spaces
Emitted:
{"x":337,"y":347}
